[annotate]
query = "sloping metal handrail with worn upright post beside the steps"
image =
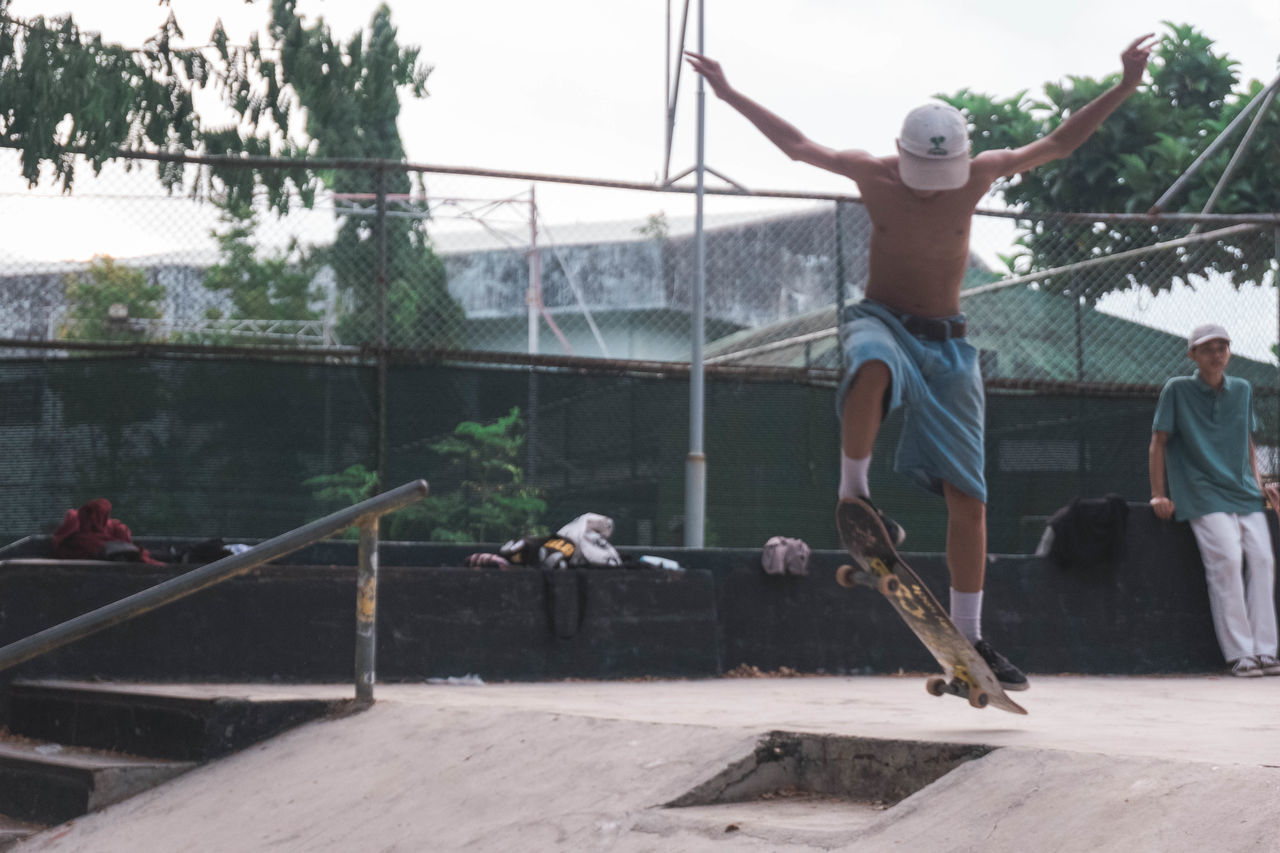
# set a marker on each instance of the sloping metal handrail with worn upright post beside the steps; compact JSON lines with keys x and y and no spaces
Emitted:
{"x":364,"y":514}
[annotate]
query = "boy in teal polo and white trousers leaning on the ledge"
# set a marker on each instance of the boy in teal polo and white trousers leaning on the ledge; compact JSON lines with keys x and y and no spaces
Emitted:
{"x":1205,"y":471}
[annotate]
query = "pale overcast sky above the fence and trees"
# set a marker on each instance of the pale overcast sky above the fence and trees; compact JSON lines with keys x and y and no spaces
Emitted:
{"x":575,"y":88}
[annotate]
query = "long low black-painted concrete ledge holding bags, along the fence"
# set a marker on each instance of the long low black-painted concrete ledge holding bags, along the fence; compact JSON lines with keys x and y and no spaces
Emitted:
{"x":296,"y":623}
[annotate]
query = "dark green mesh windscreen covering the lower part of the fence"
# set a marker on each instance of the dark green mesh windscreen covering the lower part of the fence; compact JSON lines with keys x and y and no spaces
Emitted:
{"x":207,"y":448}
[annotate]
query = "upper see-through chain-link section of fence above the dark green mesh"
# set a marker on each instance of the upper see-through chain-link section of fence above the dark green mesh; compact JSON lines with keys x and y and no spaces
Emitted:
{"x":482,"y":263}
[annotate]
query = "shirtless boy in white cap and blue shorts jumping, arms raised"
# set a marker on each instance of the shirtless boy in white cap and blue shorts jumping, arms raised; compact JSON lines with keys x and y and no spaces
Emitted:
{"x":906,"y":341}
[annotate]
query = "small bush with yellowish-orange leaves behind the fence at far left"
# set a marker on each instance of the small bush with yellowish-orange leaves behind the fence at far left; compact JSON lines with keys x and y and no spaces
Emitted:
{"x":106,"y":300}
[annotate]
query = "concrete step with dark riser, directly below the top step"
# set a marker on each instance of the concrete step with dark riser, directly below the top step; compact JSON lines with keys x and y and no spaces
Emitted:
{"x":52,"y":783}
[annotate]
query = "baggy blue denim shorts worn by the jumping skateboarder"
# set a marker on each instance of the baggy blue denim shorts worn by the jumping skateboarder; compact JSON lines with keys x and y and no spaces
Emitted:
{"x":940,"y":387}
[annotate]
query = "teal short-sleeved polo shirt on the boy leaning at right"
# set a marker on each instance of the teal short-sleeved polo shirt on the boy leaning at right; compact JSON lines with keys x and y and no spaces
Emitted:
{"x":1208,"y":457}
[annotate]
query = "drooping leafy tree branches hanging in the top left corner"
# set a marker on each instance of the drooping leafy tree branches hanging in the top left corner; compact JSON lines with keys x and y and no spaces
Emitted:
{"x":70,"y":94}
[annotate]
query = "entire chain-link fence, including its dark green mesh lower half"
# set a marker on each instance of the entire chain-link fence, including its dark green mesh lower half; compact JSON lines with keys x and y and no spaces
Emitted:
{"x":284,"y":346}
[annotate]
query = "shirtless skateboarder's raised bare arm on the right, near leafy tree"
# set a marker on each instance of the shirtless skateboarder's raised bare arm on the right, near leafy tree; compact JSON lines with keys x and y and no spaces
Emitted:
{"x":1078,"y":127}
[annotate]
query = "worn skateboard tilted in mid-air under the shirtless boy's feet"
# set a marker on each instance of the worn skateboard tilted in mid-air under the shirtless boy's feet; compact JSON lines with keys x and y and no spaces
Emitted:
{"x":879,"y":565}
